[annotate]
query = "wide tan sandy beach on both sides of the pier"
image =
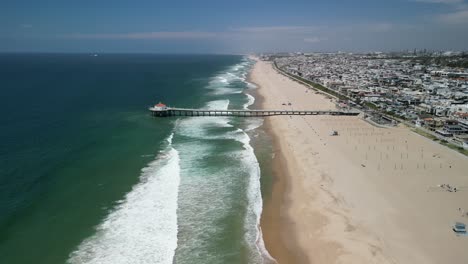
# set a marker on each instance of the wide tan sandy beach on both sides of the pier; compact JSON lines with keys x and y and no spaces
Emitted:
{"x":368,"y":195}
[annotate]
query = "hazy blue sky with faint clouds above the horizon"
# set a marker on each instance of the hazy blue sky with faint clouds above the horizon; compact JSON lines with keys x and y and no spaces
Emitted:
{"x":241,"y":26}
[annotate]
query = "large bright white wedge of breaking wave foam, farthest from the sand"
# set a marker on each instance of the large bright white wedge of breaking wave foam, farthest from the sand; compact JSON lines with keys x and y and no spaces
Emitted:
{"x":143,"y":227}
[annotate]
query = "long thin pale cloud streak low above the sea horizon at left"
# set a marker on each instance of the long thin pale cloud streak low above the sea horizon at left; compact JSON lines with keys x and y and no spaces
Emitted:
{"x":148,"y":35}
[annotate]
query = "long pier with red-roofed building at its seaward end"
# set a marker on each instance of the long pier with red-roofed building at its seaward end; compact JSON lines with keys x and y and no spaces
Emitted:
{"x":167,"y":112}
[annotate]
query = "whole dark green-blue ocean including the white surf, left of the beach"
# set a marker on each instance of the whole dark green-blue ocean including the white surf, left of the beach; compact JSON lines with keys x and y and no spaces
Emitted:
{"x":88,"y":176}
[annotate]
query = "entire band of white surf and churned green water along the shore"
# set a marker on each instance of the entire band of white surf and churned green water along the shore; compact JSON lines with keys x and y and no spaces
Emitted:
{"x":216,"y":205}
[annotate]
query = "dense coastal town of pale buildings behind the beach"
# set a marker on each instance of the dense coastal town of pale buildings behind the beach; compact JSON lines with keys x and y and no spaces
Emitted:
{"x":426,"y":90}
